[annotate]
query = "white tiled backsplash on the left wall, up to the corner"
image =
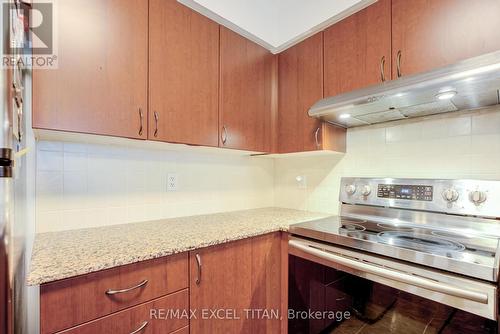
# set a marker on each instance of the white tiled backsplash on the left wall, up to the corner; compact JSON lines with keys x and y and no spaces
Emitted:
{"x":83,"y":185}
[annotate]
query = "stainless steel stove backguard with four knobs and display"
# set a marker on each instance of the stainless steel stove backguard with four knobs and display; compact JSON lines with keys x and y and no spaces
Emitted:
{"x":464,"y":197}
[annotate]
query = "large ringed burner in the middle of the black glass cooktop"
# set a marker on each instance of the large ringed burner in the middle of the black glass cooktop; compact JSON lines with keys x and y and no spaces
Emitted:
{"x":421,"y":242}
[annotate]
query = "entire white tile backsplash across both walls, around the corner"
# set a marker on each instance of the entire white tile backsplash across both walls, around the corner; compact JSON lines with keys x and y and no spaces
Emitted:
{"x":87,"y":185}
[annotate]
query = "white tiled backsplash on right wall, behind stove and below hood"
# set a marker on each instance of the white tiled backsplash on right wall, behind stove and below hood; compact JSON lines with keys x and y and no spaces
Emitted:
{"x":462,"y":145}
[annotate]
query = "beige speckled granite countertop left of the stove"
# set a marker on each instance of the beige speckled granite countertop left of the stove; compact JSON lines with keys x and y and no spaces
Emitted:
{"x":59,"y":255}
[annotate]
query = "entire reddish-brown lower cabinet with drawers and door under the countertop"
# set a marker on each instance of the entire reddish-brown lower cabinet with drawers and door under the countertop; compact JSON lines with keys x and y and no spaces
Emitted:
{"x":235,"y":287}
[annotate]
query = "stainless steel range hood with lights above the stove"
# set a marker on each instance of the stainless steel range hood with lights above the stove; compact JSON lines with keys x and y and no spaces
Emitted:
{"x":469,"y":84}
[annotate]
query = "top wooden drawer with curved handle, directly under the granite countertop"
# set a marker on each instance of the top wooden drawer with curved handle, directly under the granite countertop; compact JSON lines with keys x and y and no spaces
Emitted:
{"x":73,"y":301}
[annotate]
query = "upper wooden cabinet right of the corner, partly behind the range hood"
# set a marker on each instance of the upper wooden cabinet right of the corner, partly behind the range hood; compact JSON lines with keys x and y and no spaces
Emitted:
{"x":300,"y":86}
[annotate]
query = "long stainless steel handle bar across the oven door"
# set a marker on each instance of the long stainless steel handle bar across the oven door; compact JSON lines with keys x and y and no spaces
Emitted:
{"x":391,"y":274}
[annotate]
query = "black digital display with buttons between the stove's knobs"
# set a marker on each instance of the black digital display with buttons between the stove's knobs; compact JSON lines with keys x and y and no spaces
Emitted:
{"x":405,"y":191}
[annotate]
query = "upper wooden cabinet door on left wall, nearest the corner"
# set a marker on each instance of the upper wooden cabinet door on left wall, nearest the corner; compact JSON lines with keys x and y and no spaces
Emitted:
{"x":247,"y":94}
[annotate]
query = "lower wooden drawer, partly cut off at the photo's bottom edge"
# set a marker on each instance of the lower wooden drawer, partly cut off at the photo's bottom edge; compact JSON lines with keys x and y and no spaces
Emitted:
{"x":133,"y":319}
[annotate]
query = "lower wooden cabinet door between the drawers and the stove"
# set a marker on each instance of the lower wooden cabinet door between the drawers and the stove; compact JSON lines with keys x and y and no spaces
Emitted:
{"x":235,"y":277}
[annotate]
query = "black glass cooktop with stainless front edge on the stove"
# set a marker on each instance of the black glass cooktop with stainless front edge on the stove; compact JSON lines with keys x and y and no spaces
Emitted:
{"x":455,"y":250}
